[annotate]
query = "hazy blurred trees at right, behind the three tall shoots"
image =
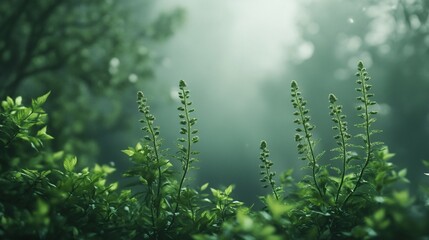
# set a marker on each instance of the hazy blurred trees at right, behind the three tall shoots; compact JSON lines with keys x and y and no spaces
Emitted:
{"x":392,"y":39}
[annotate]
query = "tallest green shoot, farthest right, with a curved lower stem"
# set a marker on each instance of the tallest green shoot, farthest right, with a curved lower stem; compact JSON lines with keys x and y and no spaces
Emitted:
{"x":366,"y":115}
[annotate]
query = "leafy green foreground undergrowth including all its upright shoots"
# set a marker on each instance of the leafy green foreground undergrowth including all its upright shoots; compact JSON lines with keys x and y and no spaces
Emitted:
{"x":351,"y":197}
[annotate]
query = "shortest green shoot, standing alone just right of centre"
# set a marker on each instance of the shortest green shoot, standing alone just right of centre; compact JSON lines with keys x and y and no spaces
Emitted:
{"x":267,"y":174}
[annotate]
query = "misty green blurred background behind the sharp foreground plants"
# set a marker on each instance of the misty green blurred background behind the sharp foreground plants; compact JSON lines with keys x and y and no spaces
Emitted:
{"x":238,"y":59}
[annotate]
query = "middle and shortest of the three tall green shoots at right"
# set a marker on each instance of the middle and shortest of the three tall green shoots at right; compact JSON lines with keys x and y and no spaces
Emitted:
{"x":341,"y":138}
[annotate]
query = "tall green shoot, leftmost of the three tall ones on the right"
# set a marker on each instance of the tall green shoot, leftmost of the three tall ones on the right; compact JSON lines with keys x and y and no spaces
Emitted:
{"x":303,"y":136}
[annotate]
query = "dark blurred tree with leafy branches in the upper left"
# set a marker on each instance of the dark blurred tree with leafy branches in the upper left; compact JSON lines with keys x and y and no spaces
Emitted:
{"x":86,"y":52}
